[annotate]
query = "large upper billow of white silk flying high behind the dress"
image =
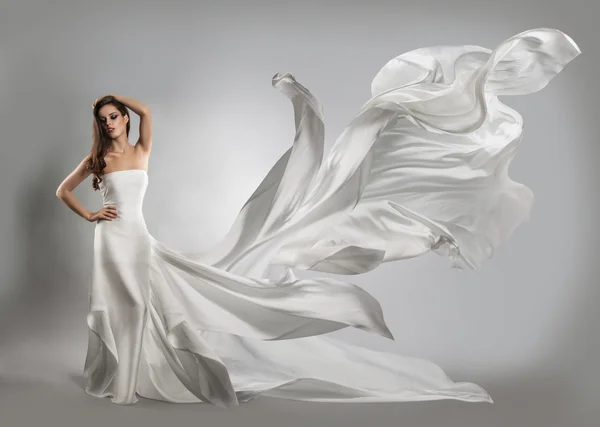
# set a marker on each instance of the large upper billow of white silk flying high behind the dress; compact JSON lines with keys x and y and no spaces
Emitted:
{"x":423,"y":166}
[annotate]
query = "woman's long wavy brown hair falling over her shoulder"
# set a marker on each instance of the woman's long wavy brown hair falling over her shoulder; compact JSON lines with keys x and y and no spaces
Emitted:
{"x":101,"y":141}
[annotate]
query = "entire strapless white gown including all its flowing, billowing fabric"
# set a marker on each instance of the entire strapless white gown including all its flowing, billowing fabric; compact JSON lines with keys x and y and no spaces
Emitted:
{"x":422,"y":167}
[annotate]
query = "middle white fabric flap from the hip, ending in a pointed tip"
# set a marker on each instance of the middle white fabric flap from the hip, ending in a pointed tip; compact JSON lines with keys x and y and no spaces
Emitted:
{"x":216,"y":300}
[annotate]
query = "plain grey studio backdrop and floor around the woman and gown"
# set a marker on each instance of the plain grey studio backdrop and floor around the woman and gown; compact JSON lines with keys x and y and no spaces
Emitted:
{"x":524,"y":327}
